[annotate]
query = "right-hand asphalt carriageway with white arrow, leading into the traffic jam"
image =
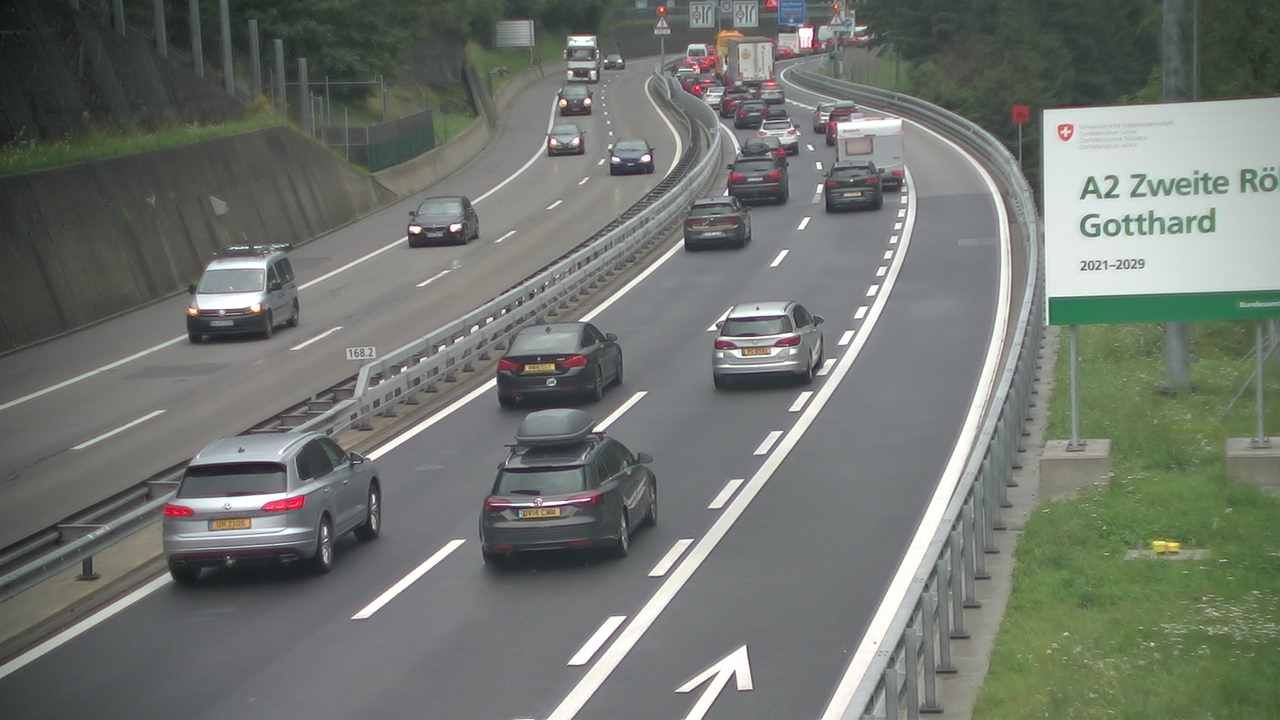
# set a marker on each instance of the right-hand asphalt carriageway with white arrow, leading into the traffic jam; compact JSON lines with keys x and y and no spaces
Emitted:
{"x":792,"y":566}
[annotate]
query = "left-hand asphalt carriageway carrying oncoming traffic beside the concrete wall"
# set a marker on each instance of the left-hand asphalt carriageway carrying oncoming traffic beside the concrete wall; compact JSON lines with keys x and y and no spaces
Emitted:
{"x":194,"y":394}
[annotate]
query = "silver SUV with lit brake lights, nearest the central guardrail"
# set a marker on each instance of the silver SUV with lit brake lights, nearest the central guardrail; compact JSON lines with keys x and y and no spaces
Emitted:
{"x":269,"y":498}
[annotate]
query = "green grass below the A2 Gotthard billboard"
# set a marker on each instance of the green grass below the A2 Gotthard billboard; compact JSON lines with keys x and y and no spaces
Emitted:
{"x":1092,"y":636}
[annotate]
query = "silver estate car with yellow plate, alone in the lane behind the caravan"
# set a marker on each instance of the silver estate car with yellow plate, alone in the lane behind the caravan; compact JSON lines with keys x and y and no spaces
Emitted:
{"x":767,"y":339}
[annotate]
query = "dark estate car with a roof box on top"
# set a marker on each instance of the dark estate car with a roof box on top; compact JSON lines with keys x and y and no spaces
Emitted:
{"x":564,"y":487}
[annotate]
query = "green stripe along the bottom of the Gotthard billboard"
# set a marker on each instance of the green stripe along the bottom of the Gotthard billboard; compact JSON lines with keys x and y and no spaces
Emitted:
{"x":1190,"y":308}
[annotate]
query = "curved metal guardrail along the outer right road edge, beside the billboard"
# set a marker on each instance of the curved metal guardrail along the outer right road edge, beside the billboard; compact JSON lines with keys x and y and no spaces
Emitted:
{"x":917,"y":645}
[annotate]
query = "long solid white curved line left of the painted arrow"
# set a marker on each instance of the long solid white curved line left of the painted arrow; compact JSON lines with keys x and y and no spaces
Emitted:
{"x":614,"y":657}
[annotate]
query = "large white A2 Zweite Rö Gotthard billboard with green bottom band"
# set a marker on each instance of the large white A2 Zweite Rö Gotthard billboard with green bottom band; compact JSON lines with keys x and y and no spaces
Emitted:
{"x":1163,"y":213}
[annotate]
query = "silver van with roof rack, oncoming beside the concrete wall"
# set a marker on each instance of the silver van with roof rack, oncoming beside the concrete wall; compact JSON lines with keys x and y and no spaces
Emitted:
{"x":246,"y":290}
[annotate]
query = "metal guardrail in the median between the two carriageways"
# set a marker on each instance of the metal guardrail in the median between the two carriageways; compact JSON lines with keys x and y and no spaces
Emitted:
{"x":385,"y":385}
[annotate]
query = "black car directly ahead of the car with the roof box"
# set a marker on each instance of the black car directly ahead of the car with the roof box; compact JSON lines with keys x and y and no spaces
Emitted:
{"x":559,"y":359}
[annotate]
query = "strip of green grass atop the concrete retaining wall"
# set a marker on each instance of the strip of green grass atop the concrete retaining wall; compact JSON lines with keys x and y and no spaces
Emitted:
{"x":28,"y":157}
